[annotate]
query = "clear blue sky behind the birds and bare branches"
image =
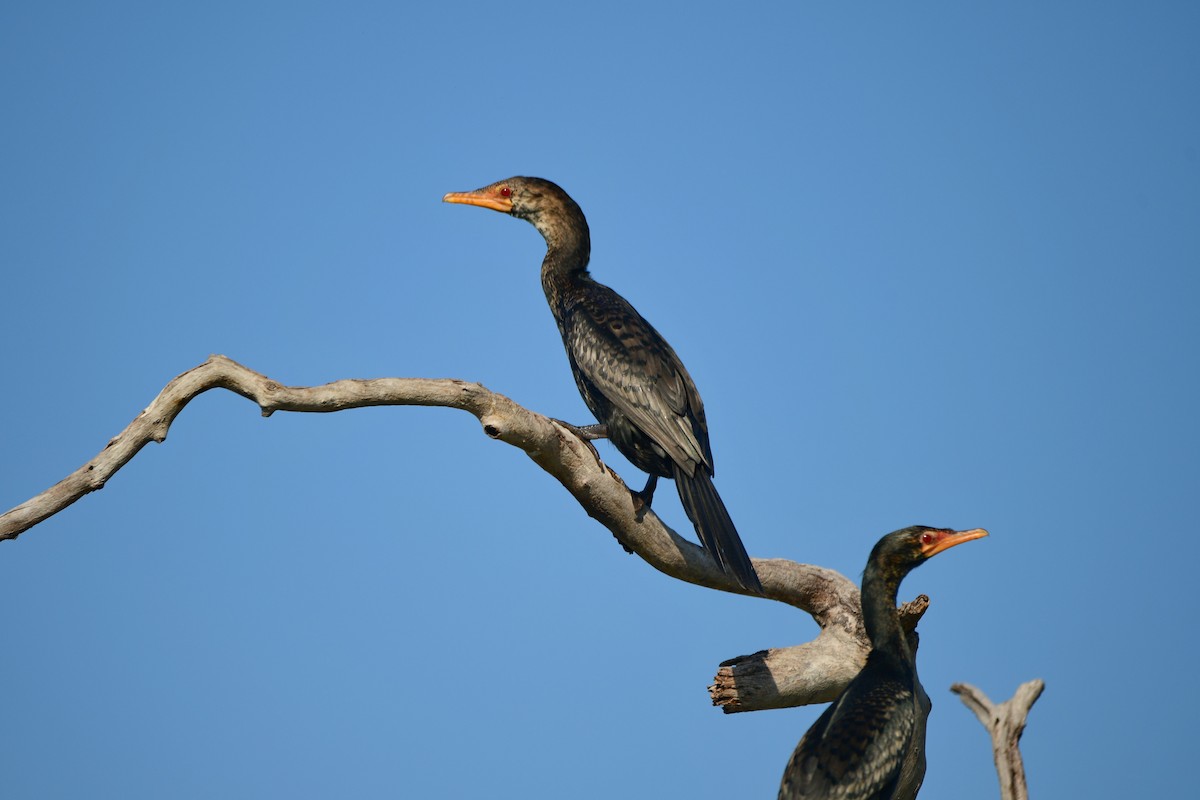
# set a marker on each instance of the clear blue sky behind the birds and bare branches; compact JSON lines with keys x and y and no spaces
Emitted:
{"x":928,"y":263}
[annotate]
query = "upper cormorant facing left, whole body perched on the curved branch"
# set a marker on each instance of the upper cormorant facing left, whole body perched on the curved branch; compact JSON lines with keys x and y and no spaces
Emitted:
{"x":628,"y":375}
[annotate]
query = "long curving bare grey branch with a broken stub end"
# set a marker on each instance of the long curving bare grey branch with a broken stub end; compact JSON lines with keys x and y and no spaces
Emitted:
{"x":811,"y":673}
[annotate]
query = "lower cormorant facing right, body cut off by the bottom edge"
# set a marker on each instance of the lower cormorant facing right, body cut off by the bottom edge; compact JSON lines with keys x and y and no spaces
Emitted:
{"x":859,"y":748}
